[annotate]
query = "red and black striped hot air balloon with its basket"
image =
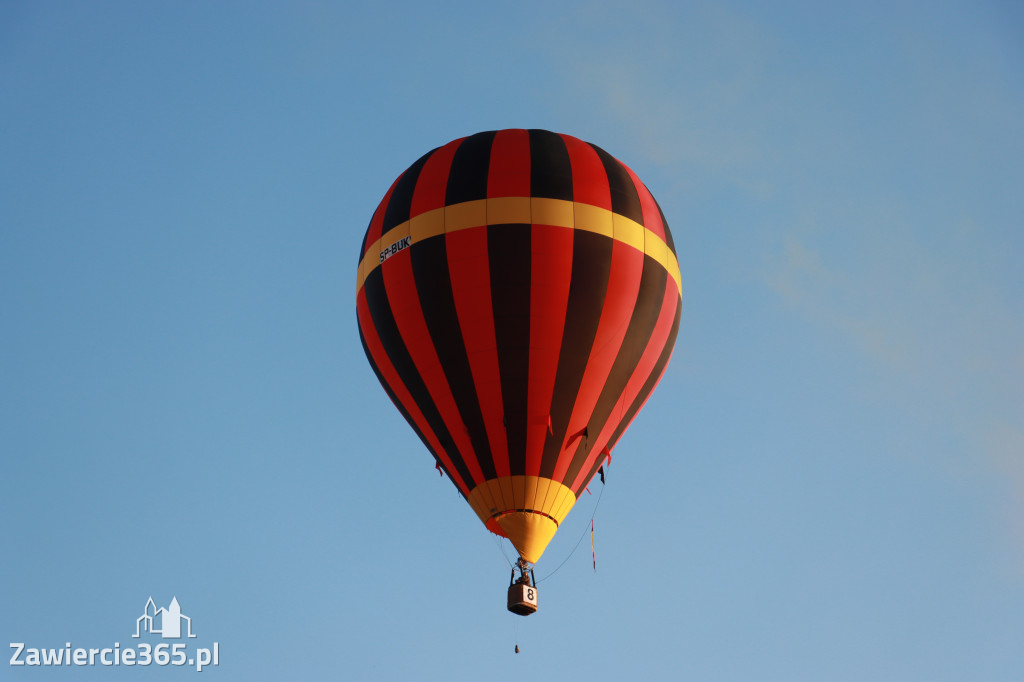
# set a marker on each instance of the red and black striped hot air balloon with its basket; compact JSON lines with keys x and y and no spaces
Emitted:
{"x":519,"y":297}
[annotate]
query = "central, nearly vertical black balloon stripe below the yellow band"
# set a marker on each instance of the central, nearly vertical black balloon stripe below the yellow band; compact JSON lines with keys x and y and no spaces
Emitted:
{"x":509,"y":262}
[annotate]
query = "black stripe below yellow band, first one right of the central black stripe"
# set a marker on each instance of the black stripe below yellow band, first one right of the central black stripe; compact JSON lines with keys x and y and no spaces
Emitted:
{"x":588,"y":285}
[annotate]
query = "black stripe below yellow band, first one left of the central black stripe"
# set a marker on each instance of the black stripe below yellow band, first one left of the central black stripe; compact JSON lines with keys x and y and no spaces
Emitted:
{"x":434,"y":285}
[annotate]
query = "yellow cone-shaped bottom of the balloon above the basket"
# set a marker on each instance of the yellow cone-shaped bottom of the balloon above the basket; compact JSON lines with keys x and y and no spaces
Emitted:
{"x":528,"y":510}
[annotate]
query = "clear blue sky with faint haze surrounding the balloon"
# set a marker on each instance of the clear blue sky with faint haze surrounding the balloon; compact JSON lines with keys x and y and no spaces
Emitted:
{"x":828,"y":485}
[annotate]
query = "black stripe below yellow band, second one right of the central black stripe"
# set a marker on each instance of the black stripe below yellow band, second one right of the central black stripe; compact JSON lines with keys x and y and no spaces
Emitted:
{"x":646,"y":313}
